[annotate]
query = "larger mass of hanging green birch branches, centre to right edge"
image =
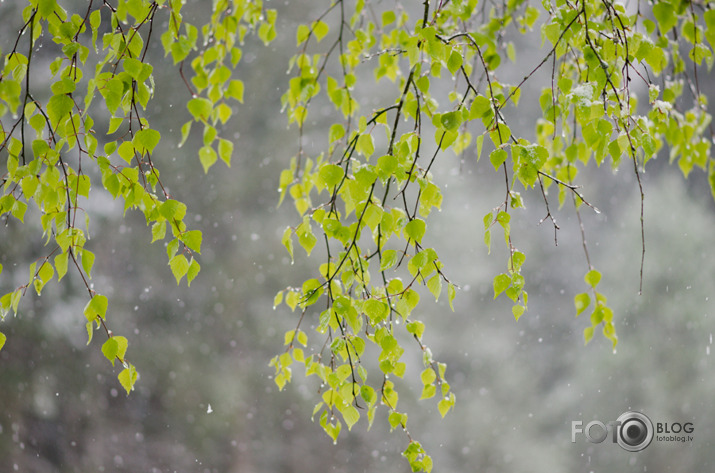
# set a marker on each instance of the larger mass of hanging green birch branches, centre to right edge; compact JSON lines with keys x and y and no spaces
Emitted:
{"x":367,"y":198}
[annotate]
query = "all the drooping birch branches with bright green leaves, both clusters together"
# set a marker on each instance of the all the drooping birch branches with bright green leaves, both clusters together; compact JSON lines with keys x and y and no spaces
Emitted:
{"x":377,"y":187}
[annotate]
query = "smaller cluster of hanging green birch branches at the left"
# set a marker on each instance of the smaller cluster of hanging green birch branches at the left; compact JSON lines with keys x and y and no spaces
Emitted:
{"x":56,"y":157}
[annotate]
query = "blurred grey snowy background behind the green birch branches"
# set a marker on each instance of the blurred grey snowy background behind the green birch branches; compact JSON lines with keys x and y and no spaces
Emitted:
{"x":206,"y":401}
